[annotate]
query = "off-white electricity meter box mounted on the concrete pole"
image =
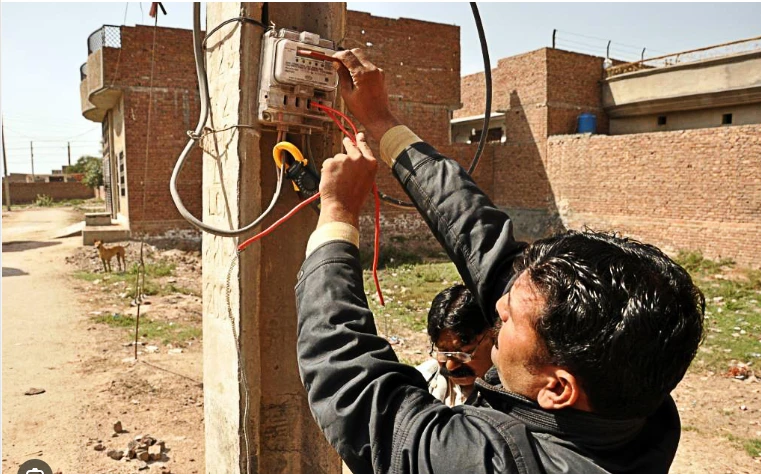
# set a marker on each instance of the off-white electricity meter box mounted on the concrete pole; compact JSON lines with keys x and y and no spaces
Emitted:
{"x":291,"y":78}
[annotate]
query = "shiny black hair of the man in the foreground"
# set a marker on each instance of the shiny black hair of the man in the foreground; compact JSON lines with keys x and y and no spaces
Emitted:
{"x":621,"y":316}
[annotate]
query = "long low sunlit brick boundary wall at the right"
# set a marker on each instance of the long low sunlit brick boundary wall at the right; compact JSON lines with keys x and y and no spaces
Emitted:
{"x":693,"y":189}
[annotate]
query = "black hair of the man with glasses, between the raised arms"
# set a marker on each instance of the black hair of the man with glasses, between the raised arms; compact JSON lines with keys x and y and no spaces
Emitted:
{"x":456,"y":309}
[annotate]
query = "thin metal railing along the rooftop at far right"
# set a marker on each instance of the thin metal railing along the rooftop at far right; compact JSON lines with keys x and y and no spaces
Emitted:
{"x":694,"y":55}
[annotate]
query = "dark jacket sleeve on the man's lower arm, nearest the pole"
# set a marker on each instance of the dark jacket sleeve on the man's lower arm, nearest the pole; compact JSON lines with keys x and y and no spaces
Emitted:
{"x":376,"y":412}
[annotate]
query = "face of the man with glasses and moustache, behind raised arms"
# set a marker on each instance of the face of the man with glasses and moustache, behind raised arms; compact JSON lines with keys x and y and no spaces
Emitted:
{"x":465,"y":373}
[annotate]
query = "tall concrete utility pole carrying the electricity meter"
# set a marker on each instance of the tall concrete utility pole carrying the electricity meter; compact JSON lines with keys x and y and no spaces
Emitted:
{"x":238,"y":183}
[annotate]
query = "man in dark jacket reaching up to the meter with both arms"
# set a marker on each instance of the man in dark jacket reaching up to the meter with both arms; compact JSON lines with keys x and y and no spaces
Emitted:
{"x":595,"y":332}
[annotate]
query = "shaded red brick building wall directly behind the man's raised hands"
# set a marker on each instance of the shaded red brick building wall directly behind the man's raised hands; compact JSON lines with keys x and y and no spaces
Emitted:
{"x":421,"y":61}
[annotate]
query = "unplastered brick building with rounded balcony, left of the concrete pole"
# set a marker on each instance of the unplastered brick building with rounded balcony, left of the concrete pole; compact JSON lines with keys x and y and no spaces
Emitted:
{"x":146,"y":99}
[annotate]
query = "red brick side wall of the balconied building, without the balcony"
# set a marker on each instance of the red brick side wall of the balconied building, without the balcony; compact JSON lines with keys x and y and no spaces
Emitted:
{"x":174,"y":110}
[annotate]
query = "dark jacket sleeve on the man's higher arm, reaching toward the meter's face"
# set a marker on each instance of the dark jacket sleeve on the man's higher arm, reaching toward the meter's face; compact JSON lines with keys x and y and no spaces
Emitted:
{"x":476,"y":235}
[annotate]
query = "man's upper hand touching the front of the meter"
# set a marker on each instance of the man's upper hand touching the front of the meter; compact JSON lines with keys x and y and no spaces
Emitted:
{"x":363,"y":88}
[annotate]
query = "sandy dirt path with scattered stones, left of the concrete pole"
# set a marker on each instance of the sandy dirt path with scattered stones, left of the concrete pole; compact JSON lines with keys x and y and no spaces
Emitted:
{"x":49,"y":342}
